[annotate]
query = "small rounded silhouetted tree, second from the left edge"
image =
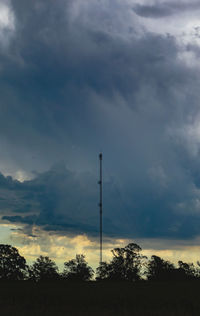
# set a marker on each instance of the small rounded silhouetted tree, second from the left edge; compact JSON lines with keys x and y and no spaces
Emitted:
{"x":44,"y":269}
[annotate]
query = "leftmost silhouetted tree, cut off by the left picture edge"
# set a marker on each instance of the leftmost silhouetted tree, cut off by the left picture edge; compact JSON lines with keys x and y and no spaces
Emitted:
{"x":12,"y":265}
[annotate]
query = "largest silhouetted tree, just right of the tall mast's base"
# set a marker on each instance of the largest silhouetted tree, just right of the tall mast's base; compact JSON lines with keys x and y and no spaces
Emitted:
{"x":125,"y":265}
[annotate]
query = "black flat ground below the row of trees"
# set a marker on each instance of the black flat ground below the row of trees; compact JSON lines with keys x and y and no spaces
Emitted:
{"x":106,"y":299}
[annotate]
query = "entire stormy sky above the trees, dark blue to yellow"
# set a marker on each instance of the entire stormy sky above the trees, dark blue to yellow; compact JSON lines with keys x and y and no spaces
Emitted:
{"x":82,"y":77}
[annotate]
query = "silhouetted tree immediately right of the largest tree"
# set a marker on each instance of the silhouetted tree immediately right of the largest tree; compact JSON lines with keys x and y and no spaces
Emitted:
{"x":159,"y":269}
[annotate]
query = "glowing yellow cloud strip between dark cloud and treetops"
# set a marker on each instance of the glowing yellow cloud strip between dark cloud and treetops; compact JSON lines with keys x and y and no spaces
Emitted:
{"x":62,"y":248}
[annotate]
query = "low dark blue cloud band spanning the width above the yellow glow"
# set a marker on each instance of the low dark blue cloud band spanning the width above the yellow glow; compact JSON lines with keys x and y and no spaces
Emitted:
{"x":68,"y":203}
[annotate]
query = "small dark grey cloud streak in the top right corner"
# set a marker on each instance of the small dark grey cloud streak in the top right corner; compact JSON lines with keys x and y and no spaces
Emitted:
{"x":164,"y":9}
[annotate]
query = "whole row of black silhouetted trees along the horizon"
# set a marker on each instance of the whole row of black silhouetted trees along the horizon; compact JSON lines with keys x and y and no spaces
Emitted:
{"x":127,"y":264}
